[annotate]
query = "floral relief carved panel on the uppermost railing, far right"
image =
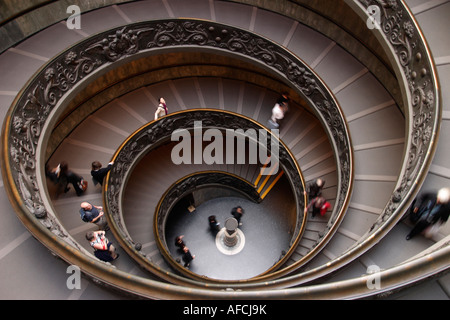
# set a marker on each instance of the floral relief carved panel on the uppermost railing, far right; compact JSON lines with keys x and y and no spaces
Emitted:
{"x":401,"y":33}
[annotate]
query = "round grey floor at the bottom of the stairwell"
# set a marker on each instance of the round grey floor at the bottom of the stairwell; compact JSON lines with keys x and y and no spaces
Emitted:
{"x":264,"y":230}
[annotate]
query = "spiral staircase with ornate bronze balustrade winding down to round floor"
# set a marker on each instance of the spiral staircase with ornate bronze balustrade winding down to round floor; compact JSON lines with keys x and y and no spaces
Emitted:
{"x":371,"y":88}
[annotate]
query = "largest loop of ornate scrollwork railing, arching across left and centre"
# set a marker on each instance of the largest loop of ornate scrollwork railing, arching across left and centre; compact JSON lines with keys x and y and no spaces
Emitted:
{"x":35,"y":110}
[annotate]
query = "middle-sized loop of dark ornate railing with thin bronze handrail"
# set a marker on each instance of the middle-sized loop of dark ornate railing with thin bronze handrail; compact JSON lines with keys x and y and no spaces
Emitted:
{"x":159,"y":132}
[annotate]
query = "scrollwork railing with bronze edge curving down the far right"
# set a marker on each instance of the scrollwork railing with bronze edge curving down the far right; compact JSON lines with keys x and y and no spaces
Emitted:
{"x":415,"y":67}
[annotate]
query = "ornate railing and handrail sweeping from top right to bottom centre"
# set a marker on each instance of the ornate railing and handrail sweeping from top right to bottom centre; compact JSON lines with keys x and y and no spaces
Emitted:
{"x":402,"y":38}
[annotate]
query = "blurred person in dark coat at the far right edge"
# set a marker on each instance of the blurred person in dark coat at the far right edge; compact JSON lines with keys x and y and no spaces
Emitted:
{"x":429,"y":210}
